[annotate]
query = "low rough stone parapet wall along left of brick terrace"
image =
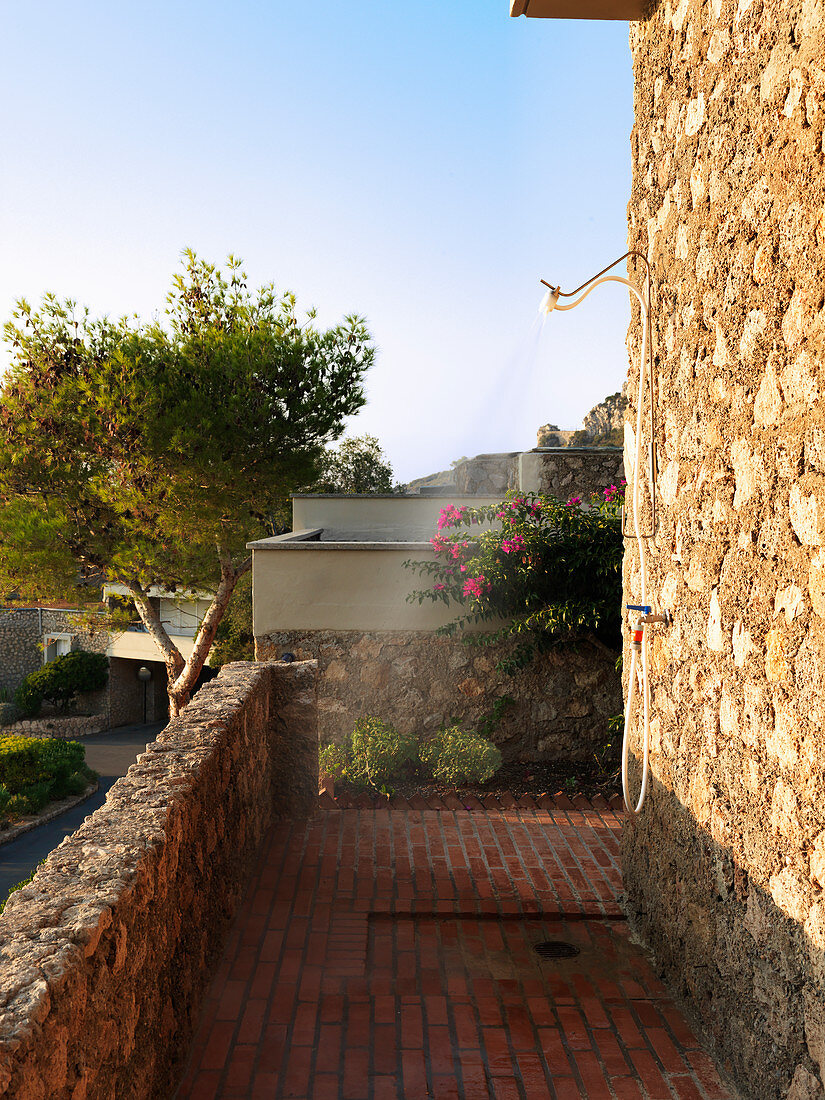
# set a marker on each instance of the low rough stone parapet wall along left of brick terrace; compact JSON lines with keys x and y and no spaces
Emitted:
{"x":107,"y":953}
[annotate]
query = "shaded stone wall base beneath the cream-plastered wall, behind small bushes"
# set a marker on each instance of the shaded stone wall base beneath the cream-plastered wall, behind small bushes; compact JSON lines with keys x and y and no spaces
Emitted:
{"x":419,"y":681}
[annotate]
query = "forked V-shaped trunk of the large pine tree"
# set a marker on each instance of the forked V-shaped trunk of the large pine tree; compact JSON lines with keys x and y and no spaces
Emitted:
{"x":183,"y":675}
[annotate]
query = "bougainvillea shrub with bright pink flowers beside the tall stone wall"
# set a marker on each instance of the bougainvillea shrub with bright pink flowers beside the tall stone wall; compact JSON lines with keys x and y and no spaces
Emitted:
{"x":552,"y":570}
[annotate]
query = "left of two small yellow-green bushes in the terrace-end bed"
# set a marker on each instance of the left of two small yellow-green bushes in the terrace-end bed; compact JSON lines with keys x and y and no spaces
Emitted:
{"x":375,"y":755}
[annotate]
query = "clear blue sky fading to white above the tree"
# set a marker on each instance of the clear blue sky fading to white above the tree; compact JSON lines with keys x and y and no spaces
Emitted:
{"x":423,"y":164}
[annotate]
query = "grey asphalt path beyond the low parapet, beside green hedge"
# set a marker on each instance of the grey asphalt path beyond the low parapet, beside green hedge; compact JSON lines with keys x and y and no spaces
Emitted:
{"x":109,"y":754}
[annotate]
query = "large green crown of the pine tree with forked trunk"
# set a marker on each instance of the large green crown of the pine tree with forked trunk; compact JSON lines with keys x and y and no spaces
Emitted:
{"x":151,"y":454}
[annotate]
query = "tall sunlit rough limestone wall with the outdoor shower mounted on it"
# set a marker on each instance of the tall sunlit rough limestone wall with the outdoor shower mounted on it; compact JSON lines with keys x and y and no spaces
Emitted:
{"x":725,"y":870}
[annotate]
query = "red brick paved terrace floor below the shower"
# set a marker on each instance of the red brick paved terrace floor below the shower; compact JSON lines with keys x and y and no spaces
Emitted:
{"x":390,"y":954}
